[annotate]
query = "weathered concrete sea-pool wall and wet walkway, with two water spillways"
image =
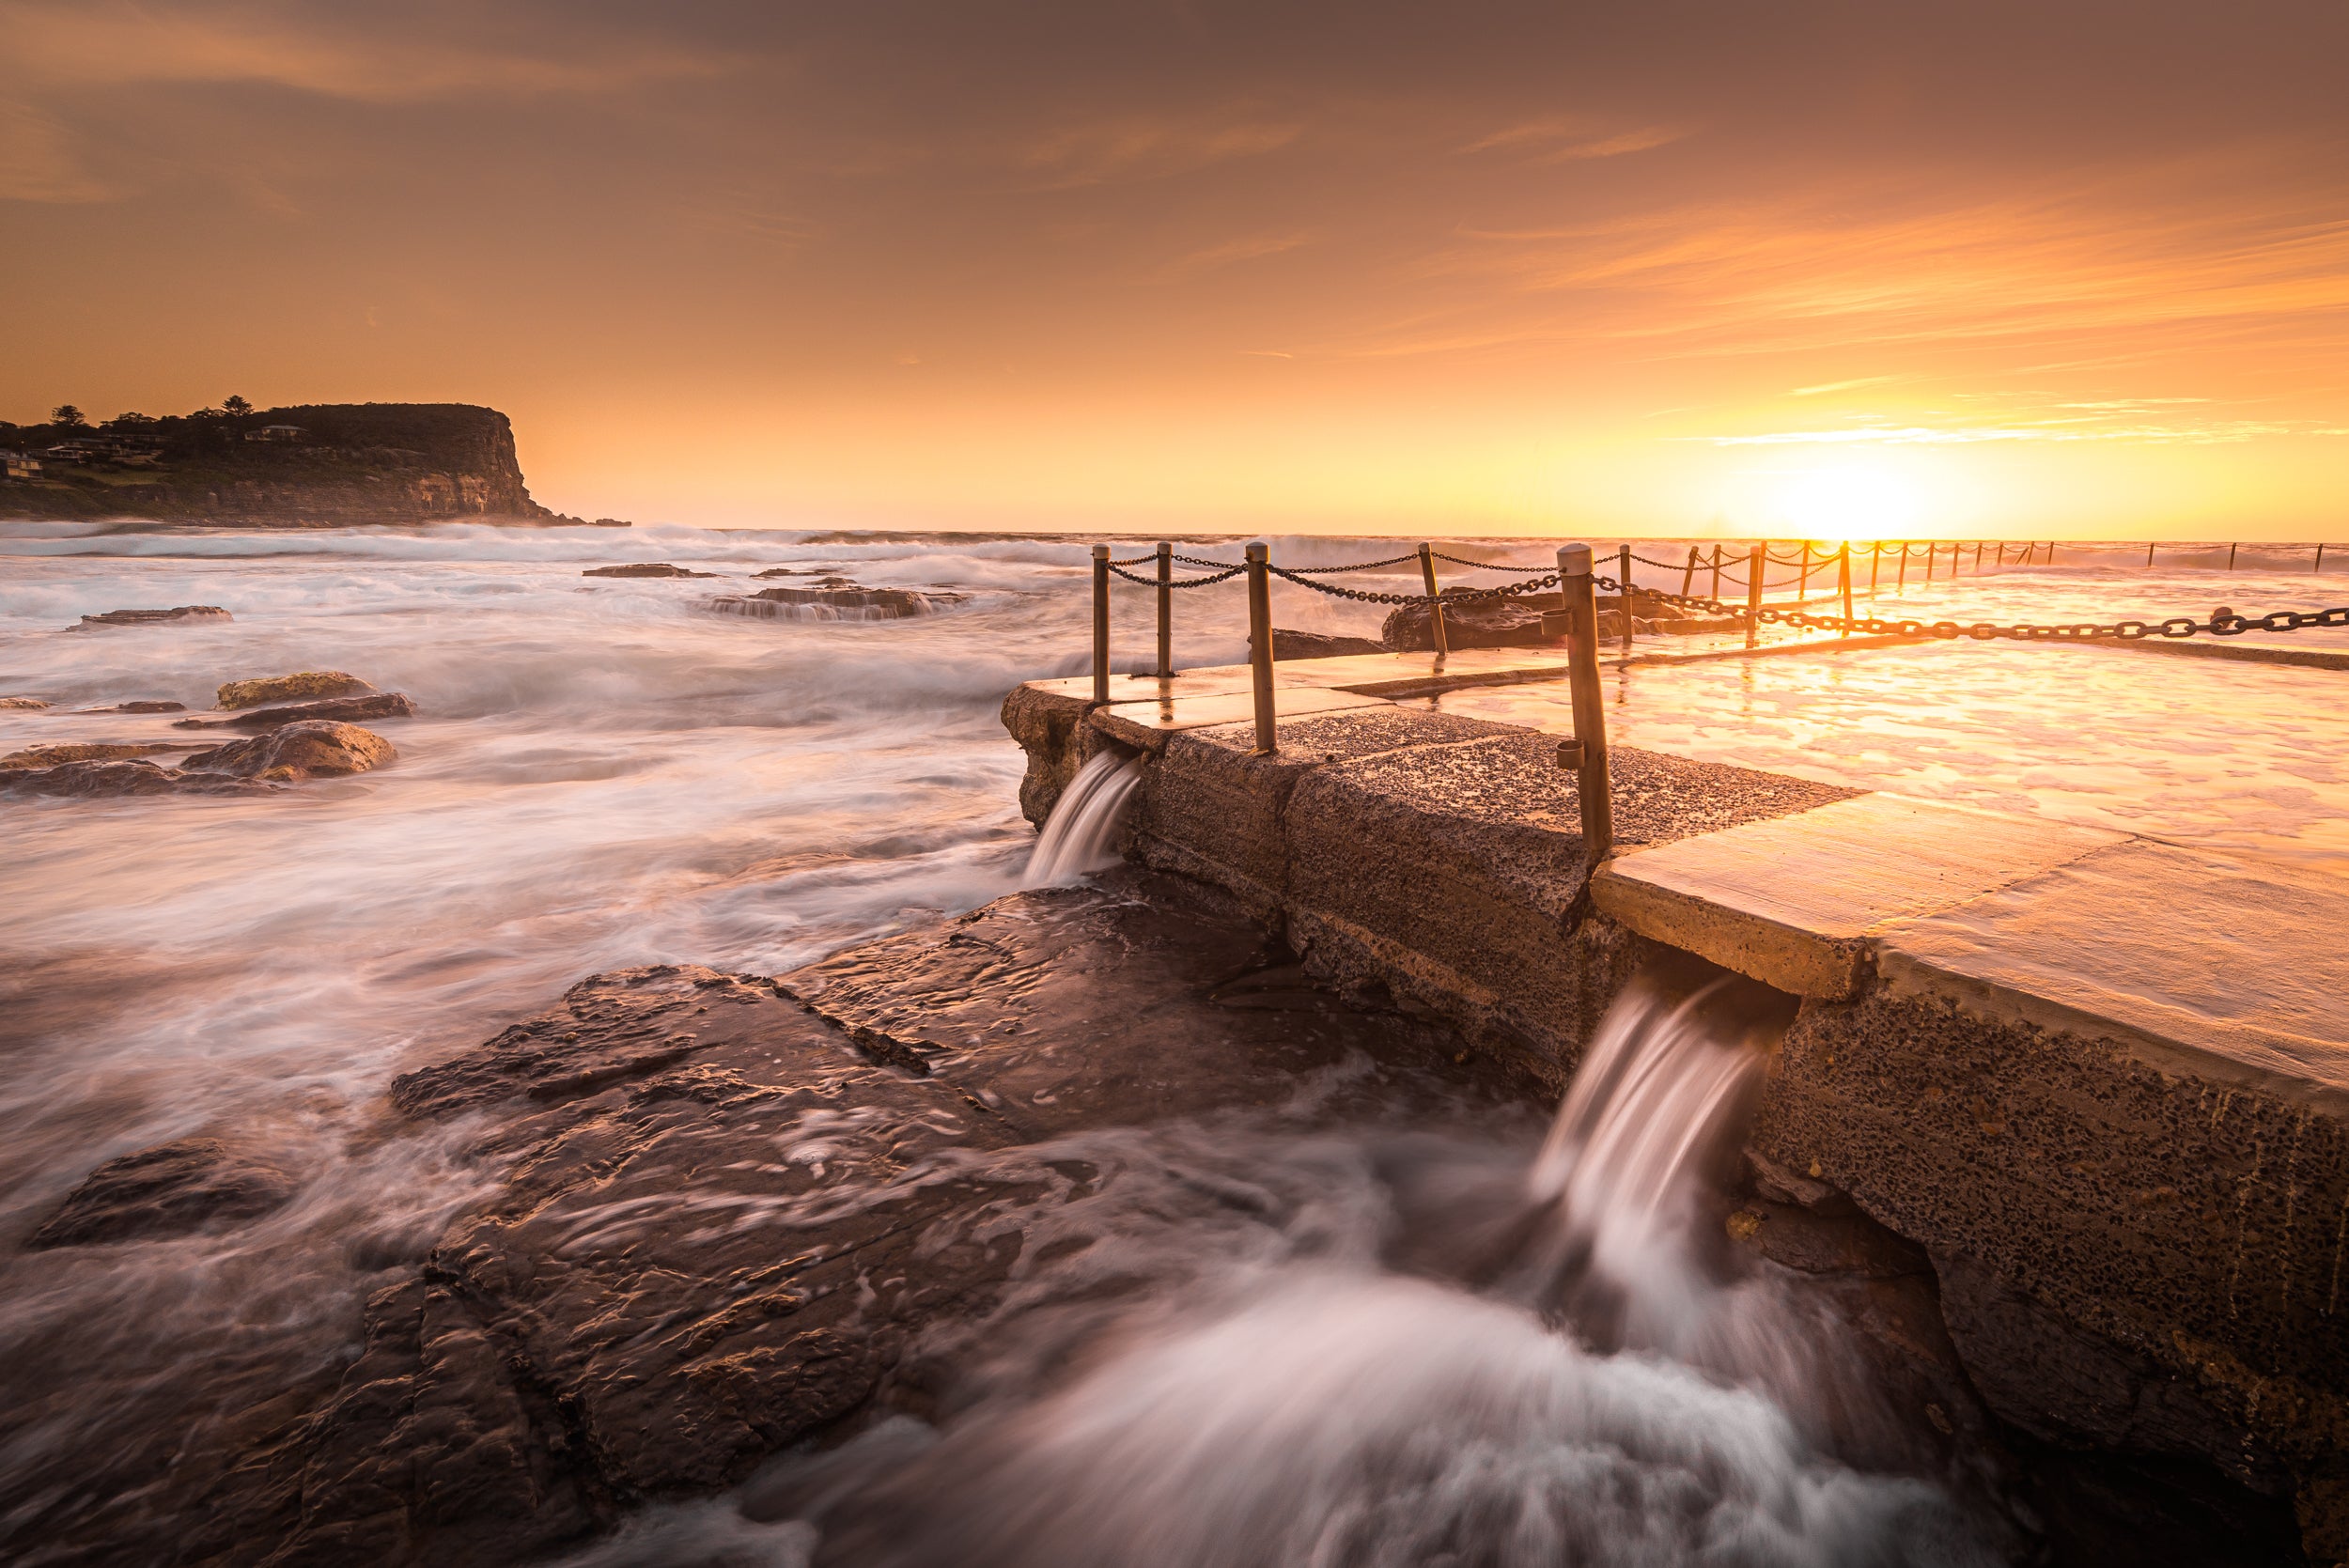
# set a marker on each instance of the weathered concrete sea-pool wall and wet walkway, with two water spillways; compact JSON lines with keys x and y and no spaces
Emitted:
{"x":2101,"y":1079}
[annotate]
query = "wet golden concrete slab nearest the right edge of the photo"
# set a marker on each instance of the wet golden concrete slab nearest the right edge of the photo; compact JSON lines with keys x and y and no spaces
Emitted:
{"x":2207,"y":964}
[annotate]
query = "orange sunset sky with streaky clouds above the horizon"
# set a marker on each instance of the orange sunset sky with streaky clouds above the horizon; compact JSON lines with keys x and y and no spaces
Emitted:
{"x":1674,"y":269}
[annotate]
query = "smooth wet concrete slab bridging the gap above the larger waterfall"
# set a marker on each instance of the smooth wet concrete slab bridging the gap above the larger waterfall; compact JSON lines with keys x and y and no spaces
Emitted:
{"x":1796,"y":900}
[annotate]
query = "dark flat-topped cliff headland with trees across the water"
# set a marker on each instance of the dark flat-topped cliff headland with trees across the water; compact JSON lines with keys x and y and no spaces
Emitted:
{"x":302,"y":466}
